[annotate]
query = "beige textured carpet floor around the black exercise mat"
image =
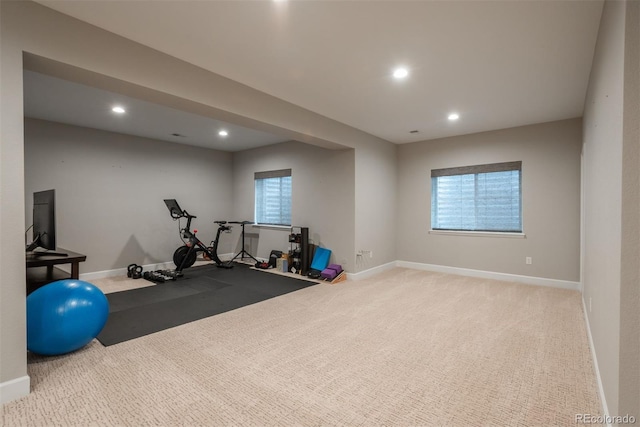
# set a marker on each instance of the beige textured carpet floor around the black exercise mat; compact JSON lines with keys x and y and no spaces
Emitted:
{"x":403,"y":348}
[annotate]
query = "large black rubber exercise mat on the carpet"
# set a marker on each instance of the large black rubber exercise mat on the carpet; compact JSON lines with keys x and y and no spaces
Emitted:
{"x":204,"y":291}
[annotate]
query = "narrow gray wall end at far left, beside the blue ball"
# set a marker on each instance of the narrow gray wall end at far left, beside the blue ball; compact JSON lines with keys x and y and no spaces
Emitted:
{"x":12,"y":225}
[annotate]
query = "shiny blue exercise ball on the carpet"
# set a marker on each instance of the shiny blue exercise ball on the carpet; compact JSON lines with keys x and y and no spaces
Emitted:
{"x":64,"y":316}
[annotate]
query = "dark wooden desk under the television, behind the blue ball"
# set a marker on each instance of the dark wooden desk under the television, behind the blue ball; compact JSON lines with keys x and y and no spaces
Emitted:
{"x":40,"y":268}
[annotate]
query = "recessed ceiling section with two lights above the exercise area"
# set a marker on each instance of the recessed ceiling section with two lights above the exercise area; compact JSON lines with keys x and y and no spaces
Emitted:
{"x":58,"y":100}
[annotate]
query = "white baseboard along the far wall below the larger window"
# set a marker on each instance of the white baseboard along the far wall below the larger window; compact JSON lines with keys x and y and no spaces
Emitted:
{"x":529,"y":280}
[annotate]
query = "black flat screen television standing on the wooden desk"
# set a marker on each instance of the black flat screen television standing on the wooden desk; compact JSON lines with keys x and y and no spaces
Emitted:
{"x":44,"y":223}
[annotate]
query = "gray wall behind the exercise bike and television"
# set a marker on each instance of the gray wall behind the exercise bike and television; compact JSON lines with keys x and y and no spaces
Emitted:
{"x":110,"y":190}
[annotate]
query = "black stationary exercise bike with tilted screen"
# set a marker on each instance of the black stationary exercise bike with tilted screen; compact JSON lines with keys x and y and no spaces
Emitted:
{"x":185,"y":256}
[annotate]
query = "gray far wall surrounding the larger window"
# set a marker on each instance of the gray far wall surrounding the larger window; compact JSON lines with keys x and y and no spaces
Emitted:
{"x":550,"y":155}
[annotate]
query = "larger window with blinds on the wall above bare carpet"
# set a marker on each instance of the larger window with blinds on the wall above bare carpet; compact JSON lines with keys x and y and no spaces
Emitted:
{"x":477,"y":198}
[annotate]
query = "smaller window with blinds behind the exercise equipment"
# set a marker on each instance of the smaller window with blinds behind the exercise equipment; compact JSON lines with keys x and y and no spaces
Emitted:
{"x":273,"y":197}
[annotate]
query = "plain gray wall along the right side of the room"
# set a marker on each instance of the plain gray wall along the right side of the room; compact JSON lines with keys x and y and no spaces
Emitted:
{"x":611,"y":205}
